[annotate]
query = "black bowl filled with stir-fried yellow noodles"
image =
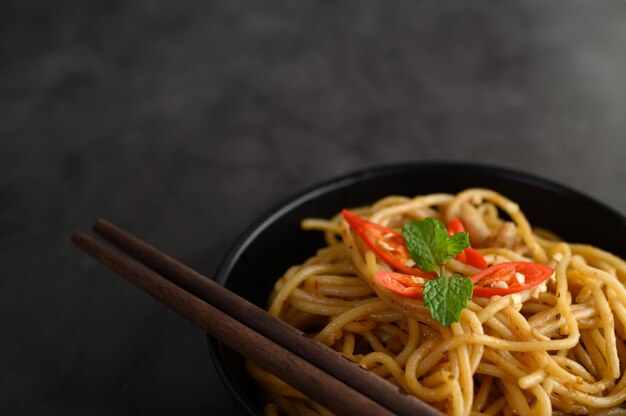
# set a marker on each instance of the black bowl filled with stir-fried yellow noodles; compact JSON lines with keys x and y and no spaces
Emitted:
{"x":555,"y":346}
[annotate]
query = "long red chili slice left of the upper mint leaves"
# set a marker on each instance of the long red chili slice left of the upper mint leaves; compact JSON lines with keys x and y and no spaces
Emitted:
{"x":387,"y":244}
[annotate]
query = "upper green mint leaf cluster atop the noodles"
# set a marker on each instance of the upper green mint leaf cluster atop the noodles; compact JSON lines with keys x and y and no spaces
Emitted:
{"x":429,"y":245}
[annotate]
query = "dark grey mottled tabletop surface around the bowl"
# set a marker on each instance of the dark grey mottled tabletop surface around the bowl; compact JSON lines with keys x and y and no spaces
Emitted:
{"x":183,"y":121}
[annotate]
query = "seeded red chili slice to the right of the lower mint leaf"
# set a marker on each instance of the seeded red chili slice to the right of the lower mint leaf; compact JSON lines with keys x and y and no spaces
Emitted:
{"x":517,"y":275}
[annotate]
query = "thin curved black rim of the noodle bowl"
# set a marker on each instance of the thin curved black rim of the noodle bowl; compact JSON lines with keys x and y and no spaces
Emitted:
{"x":268,"y":217}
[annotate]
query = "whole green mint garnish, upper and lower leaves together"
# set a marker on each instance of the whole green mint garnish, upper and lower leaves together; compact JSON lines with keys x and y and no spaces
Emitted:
{"x":431,"y":248}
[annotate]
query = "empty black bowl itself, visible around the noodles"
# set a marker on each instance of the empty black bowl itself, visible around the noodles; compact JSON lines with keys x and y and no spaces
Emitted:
{"x":276,"y":241}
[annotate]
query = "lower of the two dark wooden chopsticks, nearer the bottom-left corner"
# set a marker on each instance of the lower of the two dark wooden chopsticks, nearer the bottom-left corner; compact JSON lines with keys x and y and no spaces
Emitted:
{"x":305,"y":377}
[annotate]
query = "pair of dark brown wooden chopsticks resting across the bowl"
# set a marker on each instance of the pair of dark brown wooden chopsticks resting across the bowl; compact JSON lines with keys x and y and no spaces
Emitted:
{"x":312,"y":368}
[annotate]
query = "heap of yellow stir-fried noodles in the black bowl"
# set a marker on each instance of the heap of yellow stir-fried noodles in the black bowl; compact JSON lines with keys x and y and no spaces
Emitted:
{"x":556,"y":348}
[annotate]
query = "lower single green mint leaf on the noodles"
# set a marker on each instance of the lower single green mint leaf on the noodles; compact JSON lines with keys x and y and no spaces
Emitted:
{"x":447,"y":296}
